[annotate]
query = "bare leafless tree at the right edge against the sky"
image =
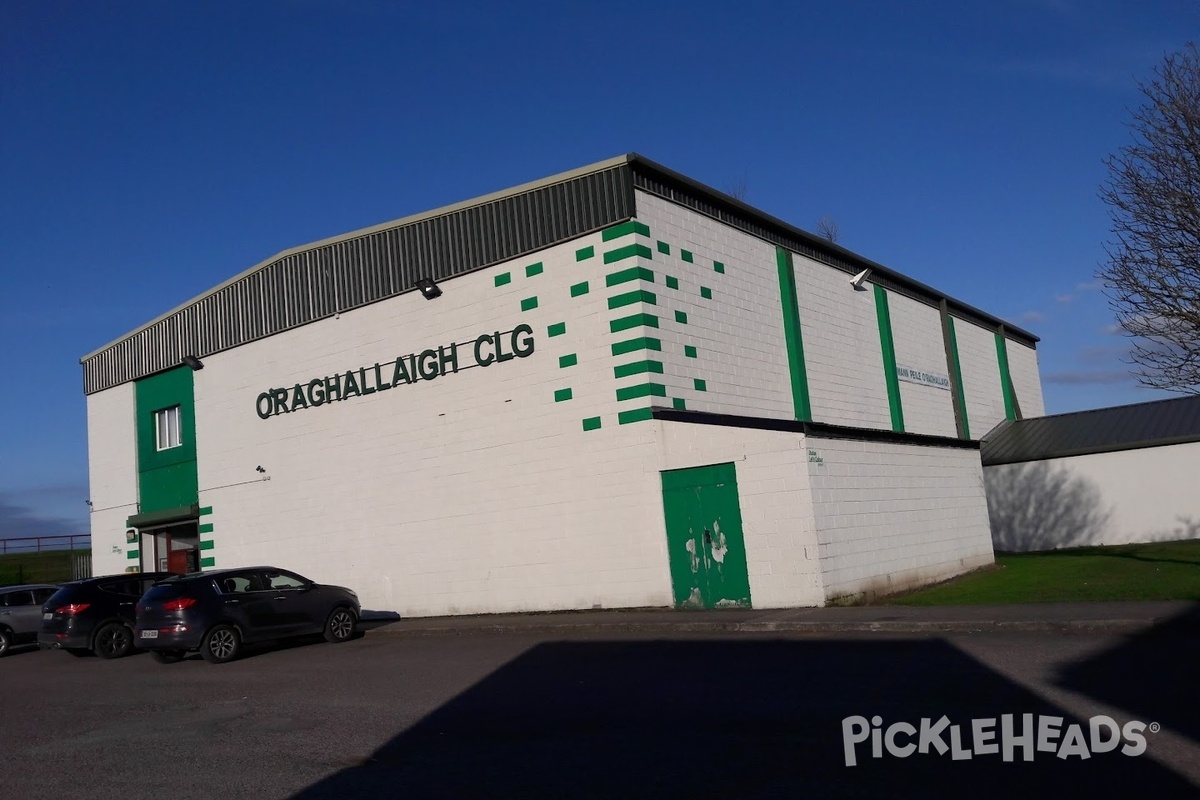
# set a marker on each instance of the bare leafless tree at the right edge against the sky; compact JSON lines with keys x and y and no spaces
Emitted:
{"x":1153,"y":272}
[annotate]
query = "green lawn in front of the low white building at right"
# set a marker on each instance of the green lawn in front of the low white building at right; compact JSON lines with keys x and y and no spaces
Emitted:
{"x":1159,"y":572}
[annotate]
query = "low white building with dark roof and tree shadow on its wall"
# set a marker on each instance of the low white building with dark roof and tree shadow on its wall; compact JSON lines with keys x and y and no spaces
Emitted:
{"x":1108,"y":477}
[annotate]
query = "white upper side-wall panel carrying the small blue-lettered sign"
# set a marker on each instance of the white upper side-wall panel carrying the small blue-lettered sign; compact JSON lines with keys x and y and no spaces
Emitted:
{"x":919,"y":342}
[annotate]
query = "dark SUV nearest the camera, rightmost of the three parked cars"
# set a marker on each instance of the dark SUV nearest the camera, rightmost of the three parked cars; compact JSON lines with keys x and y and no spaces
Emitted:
{"x":218,"y":612}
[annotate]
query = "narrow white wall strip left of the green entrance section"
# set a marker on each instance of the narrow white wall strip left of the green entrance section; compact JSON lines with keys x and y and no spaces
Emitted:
{"x":112,"y":477}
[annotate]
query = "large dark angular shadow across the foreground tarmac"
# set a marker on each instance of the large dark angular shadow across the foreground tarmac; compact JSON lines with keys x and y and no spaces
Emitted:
{"x":731,"y":719}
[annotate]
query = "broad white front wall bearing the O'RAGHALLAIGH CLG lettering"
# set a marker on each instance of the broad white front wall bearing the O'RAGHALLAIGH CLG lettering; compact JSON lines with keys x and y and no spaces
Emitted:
{"x":490,"y":490}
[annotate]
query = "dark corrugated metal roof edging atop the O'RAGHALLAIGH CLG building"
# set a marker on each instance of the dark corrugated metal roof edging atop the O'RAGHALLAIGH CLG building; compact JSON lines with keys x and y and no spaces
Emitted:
{"x":317,"y":281}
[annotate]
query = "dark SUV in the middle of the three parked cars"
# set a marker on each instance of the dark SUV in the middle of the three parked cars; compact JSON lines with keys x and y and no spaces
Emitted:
{"x":95,"y":615}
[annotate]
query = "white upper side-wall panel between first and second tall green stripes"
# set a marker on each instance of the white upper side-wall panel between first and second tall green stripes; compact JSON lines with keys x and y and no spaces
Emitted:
{"x":843,"y":352}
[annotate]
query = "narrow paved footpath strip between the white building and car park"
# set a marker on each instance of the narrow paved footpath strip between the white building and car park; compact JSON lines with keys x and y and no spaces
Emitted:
{"x":1113,"y":617}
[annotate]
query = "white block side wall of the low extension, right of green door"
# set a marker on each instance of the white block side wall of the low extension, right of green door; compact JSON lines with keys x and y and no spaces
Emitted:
{"x":892,"y":518}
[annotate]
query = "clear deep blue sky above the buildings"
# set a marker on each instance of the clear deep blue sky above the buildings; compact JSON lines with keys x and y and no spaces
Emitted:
{"x":151,"y":151}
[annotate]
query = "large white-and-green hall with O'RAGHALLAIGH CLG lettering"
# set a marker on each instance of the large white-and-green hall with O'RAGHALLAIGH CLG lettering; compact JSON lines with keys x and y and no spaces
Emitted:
{"x":613,"y":388}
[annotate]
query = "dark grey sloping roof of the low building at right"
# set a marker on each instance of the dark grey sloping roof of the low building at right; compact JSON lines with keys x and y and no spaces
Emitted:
{"x":1105,"y":430}
